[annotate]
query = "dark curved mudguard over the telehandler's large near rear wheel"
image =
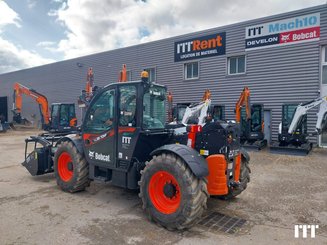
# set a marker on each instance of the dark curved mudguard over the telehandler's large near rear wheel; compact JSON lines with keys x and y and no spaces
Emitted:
{"x":192,"y":158}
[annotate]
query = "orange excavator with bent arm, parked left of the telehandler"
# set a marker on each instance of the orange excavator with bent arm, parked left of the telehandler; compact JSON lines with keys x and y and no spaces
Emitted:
{"x":62,"y":117}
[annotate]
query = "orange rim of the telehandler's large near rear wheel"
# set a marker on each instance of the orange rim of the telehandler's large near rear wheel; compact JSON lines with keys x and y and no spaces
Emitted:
{"x":164,"y":192}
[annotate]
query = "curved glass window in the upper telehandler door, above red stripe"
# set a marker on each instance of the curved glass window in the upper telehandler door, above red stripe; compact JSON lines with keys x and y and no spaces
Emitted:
{"x":101,"y":114}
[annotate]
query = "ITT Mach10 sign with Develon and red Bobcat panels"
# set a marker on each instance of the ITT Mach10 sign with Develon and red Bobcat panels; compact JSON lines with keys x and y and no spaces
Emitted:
{"x":289,"y":31}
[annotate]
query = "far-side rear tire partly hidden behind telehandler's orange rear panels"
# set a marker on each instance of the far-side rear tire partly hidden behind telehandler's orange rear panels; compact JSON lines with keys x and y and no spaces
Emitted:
{"x":244,"y":180}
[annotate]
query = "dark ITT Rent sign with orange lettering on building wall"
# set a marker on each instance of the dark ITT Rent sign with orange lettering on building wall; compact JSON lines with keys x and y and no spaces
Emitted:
{"x":201,"y":47}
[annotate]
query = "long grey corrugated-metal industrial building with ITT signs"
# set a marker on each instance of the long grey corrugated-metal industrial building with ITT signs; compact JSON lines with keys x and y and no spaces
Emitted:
{"x":281,"y":58}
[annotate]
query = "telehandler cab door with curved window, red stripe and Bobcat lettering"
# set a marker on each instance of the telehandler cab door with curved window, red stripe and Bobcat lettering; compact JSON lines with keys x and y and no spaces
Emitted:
{"x":99,"y":130}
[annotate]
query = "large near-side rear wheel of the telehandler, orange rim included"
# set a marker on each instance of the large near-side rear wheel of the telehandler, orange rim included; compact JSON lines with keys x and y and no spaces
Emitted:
{"x":172,"y":195}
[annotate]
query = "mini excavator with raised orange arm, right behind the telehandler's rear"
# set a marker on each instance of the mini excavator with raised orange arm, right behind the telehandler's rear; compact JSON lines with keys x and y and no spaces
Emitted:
{"x":251,"y":121}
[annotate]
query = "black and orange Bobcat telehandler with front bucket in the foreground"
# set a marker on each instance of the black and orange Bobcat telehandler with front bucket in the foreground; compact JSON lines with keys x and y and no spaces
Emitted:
{"x":124,"y":139}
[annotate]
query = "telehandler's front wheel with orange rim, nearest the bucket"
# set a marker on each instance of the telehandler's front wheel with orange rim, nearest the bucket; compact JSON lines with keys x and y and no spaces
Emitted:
{"x":70,"y":168}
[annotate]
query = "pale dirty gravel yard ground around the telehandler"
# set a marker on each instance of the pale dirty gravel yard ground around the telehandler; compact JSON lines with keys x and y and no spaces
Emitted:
{"x":284,"y":191}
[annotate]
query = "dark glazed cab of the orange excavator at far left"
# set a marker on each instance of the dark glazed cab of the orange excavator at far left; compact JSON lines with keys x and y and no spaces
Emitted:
{"x":63,"y":117}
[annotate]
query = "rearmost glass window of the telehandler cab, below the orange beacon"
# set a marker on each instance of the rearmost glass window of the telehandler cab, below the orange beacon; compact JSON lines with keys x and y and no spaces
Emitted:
{"x":154,"y":113}
